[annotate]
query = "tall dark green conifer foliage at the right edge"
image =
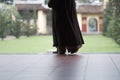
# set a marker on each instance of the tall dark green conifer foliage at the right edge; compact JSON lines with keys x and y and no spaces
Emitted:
{"x":111,"y":24}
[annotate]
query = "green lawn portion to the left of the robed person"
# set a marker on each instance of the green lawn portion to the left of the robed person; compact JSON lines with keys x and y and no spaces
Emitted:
{"x":33,"y":44}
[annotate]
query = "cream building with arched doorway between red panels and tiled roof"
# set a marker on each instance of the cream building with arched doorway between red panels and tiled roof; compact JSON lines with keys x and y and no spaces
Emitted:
{"x":90,"y":18}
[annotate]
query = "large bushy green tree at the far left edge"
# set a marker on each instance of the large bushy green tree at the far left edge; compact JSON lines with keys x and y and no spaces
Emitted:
{"x":8,"y":16}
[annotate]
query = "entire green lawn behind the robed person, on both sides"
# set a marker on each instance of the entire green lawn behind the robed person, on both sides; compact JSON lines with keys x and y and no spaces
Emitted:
{"x":42,"y":44}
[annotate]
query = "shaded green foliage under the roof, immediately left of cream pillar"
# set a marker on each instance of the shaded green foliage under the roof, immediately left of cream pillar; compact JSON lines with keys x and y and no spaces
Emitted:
{"x":29,"y":18}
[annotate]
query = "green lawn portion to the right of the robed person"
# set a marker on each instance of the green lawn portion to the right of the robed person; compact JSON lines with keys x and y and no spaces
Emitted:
{"x":99,"y":43}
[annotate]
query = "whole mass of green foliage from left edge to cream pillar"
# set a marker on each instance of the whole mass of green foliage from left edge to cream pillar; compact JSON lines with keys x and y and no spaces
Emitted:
{"x":11,"y":22}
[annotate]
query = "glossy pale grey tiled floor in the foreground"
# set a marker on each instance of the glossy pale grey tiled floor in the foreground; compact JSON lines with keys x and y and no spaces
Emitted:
{"x":56,"y":67}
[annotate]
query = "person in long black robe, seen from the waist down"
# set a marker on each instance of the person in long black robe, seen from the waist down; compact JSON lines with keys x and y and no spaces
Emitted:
{"x":65,"y":27}
